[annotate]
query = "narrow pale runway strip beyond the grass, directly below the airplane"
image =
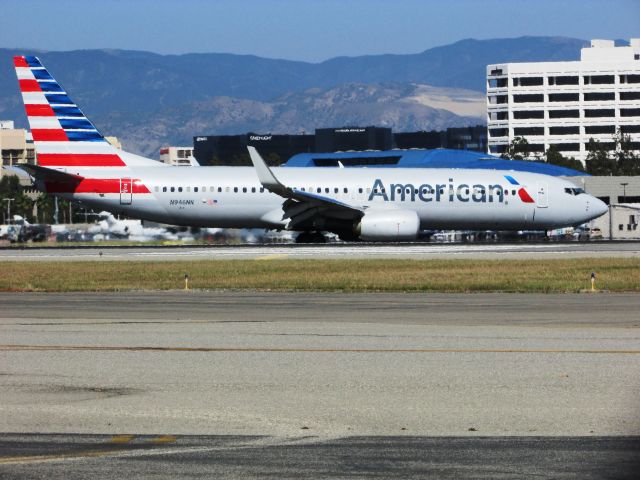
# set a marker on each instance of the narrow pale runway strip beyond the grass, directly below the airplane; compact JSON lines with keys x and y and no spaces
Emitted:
{"x":409,"y":250}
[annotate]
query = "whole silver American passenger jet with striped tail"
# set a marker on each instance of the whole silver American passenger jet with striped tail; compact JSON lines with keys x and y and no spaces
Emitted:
{"x":77,"y":163}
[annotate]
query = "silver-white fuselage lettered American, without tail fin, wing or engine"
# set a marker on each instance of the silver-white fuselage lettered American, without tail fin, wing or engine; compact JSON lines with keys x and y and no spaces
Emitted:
{"x":442,"y":198}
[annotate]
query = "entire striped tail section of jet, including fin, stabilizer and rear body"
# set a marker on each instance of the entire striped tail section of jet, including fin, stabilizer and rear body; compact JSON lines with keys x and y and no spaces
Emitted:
{"x":73,"y":156}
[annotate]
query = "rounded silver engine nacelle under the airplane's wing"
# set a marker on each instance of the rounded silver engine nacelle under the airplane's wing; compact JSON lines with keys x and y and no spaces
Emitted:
{"x":388,"y":225}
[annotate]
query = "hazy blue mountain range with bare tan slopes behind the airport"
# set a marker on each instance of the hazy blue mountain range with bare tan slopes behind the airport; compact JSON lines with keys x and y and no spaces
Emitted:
{"x":149,"y":100}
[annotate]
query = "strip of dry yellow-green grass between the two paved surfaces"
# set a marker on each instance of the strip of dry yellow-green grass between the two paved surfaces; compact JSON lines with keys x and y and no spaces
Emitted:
{"x":377,"y":275}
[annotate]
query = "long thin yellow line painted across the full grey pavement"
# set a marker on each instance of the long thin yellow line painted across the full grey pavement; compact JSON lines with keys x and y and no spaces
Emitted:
{"x":309,"y":350}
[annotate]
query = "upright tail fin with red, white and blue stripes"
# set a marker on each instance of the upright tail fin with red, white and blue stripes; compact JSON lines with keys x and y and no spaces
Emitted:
{"x":62,"y":134}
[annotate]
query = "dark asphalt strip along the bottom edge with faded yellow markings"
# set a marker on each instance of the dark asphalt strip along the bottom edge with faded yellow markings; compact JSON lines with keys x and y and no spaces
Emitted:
{"x":407,"y":457}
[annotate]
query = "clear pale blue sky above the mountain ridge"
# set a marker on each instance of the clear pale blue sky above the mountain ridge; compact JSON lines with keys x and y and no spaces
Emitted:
{"x":310,"y":30}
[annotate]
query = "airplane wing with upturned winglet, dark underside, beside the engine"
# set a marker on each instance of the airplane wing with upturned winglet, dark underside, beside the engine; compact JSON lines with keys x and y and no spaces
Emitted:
{"x":301,"y":206}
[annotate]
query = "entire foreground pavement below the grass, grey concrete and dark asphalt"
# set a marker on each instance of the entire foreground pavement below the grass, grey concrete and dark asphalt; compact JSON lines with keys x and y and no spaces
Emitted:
{"x":244,"y":384}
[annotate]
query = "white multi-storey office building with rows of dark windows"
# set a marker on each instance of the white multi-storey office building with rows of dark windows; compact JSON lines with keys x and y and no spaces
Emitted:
{"x":566,"y":103}
